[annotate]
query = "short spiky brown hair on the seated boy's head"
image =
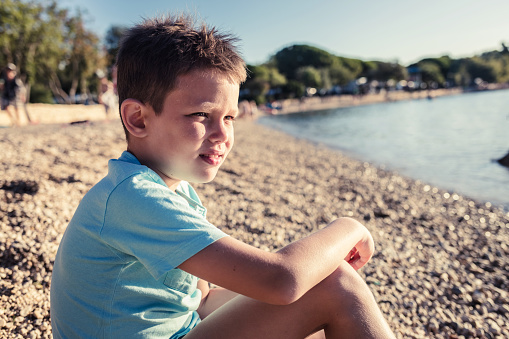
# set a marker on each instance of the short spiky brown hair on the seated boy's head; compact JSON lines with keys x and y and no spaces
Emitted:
{"x":154,"y":53}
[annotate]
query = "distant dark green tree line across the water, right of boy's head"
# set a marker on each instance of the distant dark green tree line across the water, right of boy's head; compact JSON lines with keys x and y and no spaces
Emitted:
{"x":297,"y":68}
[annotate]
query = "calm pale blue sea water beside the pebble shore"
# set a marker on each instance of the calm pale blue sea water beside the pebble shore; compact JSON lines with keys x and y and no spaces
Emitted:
{"x":449,"y":142}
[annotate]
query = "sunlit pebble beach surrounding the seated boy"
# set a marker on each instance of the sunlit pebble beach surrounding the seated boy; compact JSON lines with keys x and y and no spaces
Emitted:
{"x":441,"y":265}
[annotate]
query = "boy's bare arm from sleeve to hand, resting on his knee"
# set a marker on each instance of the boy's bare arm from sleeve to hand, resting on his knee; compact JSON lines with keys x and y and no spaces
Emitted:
{"x":282,"y":277}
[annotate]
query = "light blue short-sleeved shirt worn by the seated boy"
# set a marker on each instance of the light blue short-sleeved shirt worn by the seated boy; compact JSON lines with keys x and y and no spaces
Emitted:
{"x":115,"y":272}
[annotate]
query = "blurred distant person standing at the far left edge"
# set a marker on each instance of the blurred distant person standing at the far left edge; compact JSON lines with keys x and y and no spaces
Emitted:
{"x":13,"y":95}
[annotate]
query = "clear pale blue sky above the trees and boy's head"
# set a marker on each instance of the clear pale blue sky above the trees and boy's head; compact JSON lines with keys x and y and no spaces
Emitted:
{"x":403,"y":31}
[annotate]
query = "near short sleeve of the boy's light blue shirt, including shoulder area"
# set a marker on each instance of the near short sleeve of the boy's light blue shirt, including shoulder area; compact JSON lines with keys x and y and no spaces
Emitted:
{"x":146,"y":220}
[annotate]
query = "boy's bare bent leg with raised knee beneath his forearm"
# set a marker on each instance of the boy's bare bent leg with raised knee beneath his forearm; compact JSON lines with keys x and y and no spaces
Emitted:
{"x":342,"y":305}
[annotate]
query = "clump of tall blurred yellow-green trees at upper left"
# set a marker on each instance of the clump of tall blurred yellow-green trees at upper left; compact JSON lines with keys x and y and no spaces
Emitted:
{"x":51,"y":48}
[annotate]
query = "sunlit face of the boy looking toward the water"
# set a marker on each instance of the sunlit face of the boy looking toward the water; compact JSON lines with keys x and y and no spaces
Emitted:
{"x":192,"y":136}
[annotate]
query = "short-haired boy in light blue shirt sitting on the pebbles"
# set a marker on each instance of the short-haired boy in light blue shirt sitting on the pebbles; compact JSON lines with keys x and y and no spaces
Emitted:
{"x":136,"y":258}
